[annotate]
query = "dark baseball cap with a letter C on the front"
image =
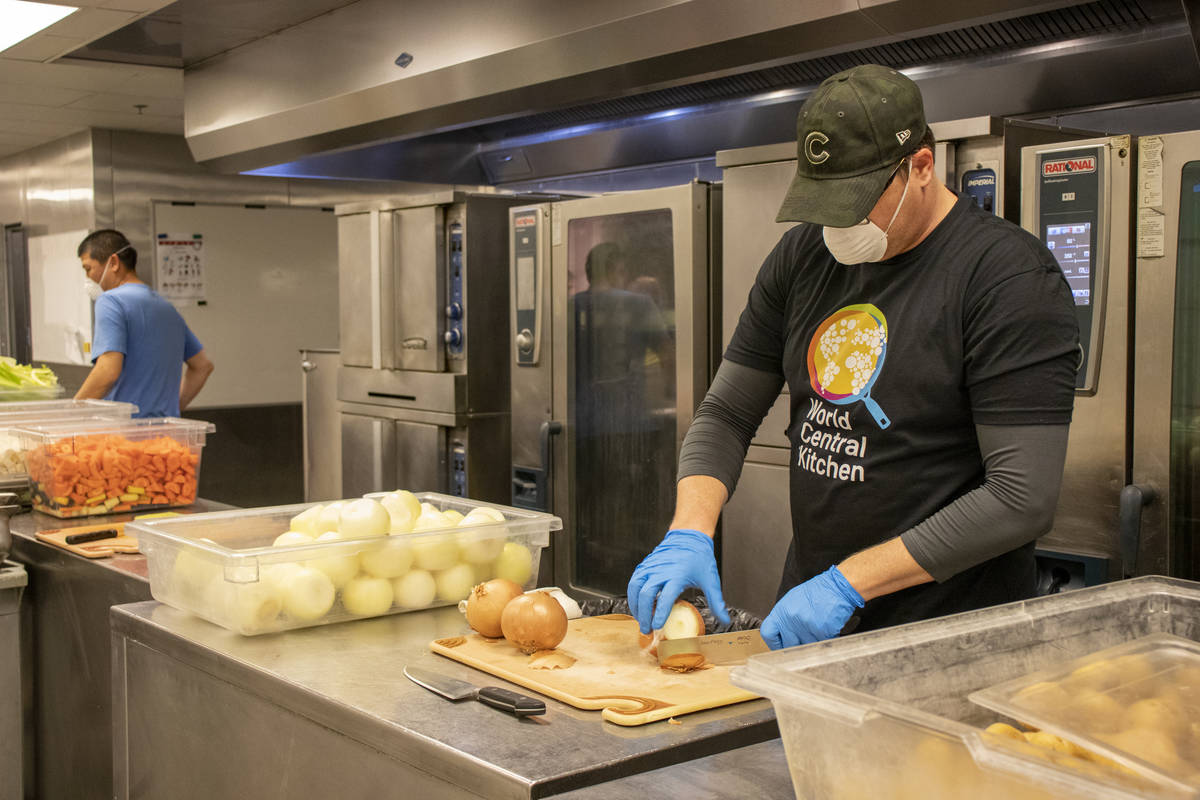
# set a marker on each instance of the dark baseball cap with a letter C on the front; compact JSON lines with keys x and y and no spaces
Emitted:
{"x":851,"y":135}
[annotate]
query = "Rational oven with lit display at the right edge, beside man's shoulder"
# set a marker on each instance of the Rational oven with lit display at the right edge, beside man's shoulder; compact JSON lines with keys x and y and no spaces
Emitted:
{"x":1123,"y":216}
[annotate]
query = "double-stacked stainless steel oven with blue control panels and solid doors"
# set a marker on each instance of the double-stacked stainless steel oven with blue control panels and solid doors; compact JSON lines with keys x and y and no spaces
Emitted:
{"x":424,"y":381}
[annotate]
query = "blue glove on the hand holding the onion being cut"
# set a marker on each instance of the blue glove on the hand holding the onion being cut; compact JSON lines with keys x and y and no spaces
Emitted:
{"x":685,"y":558}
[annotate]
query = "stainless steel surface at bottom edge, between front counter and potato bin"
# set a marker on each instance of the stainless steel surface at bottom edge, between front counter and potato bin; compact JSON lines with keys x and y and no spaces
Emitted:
{"x":757,"y":772}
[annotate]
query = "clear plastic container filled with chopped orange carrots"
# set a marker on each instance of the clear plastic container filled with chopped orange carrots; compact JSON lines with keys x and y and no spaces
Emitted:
{"x":100,"y":467}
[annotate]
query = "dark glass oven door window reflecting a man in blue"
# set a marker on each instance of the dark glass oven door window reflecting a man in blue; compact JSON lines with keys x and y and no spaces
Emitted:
{"x":622,"y":394}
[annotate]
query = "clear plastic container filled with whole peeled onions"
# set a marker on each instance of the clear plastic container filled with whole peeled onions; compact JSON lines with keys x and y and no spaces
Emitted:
{"x":226,"y":568}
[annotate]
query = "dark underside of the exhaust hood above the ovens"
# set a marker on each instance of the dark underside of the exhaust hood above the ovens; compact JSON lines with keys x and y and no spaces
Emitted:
{"x":1069,"y":58}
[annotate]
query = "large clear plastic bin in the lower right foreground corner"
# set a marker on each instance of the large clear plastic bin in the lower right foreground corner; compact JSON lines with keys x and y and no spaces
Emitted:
{"x":890,"y":713}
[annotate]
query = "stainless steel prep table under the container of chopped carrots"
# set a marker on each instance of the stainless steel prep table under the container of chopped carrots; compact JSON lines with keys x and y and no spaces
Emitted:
{"x":67,"y":658}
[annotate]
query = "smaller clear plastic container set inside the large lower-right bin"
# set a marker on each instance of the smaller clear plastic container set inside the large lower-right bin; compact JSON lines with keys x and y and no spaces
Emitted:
{"x":1137,"y":705}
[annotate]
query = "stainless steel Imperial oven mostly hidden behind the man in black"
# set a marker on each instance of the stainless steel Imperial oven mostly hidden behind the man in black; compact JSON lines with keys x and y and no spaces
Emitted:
{"x":979,"y":157}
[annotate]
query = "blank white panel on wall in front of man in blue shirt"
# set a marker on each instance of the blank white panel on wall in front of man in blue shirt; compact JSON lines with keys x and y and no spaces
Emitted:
{"x":61,"y":311}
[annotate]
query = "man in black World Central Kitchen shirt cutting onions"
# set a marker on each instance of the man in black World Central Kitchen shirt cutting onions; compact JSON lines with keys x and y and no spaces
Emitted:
{"x":931,"y":352}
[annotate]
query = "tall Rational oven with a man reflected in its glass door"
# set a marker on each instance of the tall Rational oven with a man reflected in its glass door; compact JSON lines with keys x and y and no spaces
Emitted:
{"x":611,"y":308}
